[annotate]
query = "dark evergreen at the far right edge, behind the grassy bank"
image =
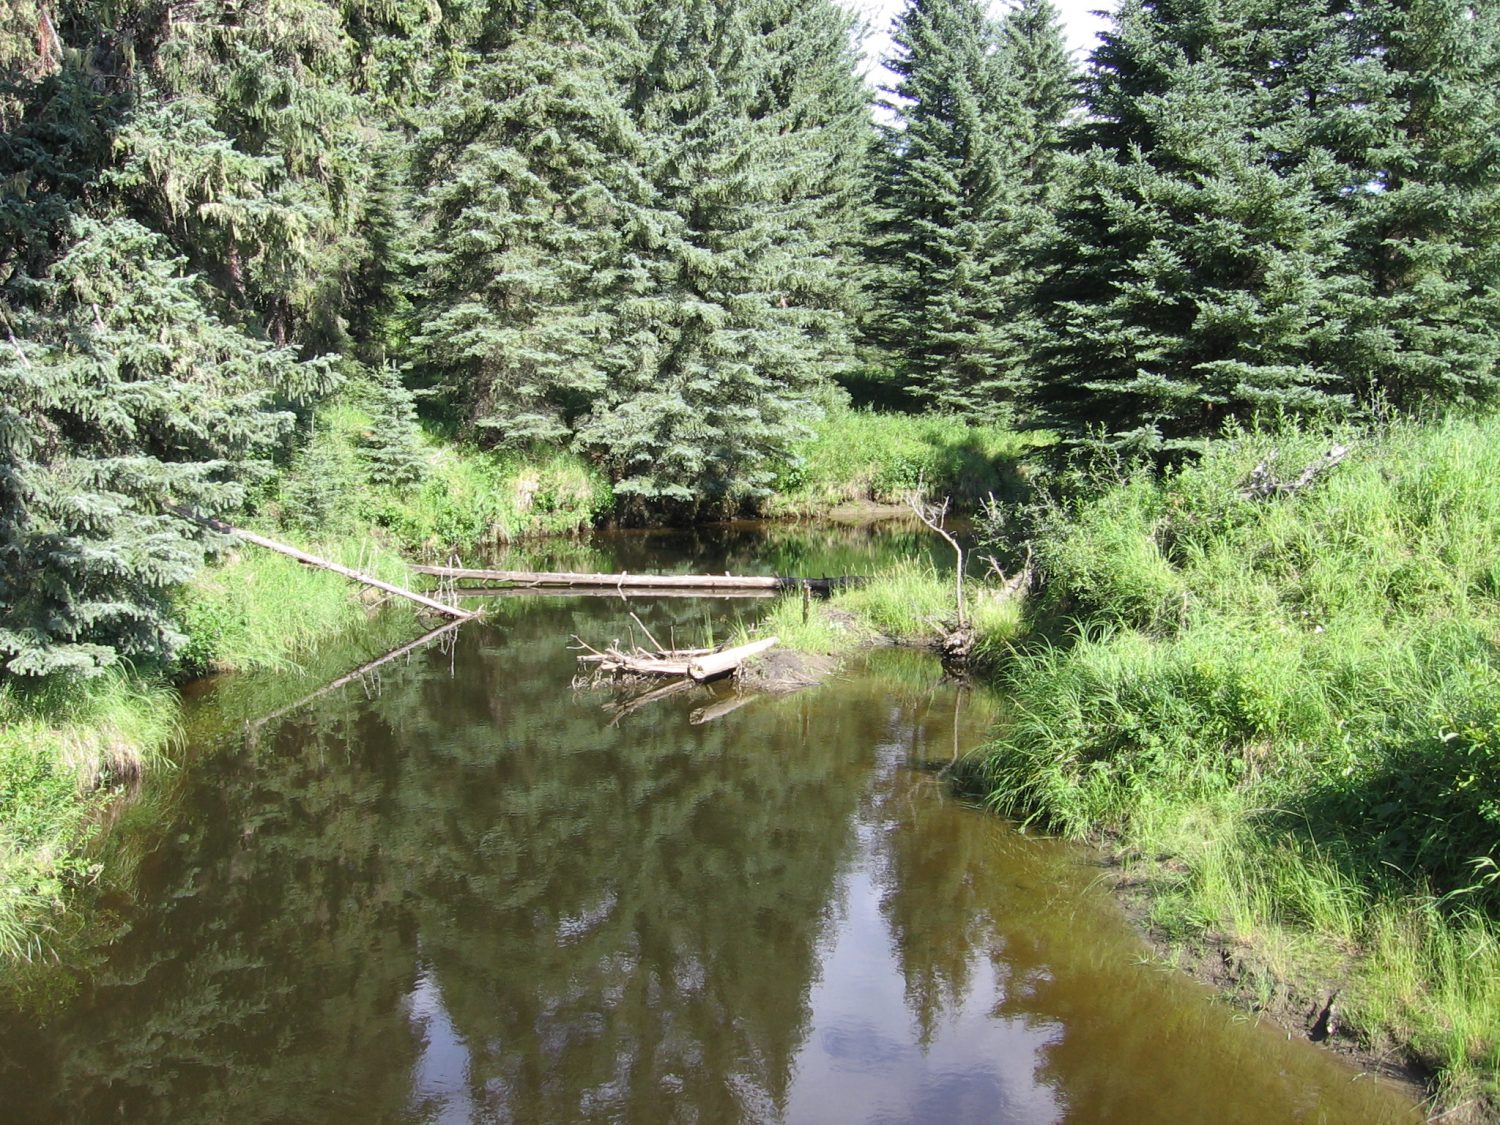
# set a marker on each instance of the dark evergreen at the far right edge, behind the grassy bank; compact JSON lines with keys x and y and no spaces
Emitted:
{"x":1423,"y":199}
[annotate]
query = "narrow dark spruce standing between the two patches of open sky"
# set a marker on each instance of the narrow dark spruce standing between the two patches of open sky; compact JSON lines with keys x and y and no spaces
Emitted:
{"x":953,"y":200}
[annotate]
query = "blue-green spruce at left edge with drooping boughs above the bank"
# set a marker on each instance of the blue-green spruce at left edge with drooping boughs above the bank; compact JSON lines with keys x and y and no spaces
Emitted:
{"x":122,"y":391}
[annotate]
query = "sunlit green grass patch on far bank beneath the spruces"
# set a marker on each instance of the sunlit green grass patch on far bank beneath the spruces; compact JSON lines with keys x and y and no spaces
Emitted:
{"x":880,"y":458}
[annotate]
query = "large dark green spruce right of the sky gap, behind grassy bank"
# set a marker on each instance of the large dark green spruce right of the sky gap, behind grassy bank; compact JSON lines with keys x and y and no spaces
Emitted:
{"x":1195,"y":275}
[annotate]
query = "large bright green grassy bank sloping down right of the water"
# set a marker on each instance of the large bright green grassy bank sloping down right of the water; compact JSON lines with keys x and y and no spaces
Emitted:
{"x":1286,"y":716}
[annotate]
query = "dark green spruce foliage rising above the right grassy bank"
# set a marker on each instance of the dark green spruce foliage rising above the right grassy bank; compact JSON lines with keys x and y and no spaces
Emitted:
{"x":1276,"y":209}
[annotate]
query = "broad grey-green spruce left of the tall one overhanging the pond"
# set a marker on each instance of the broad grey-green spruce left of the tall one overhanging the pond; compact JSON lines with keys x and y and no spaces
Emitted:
{"x":533,"y":185}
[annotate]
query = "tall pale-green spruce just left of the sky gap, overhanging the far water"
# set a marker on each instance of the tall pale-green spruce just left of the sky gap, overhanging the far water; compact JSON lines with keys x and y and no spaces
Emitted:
{"x":743,"y":290}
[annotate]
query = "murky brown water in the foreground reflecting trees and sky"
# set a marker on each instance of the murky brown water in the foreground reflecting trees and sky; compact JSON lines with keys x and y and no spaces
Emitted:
{"x":463,"y":893}
